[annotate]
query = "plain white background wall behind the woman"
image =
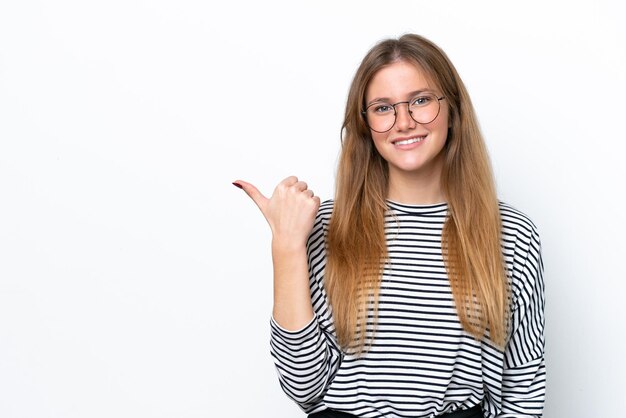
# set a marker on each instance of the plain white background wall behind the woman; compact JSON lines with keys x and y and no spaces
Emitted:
{"x":135,"y":280}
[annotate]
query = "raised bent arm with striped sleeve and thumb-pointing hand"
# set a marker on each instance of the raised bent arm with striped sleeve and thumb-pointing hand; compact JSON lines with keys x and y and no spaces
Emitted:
{"x":302,"y":341}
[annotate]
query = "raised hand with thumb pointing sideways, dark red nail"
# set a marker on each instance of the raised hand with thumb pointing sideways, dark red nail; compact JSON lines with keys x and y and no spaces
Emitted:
{"x":290,"y":211}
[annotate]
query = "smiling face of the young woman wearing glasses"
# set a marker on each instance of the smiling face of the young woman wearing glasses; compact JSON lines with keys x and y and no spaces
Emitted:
{"x":410,"y":148}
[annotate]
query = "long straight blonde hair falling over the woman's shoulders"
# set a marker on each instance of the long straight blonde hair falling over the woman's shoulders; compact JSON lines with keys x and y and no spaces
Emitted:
{"x":356,"y":246}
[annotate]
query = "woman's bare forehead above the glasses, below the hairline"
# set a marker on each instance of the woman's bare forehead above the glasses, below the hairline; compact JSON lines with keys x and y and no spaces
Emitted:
{"x":397,"y":80}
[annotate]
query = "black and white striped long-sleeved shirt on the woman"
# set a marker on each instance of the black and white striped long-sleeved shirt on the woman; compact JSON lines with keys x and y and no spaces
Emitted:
{"x":421,"y":362}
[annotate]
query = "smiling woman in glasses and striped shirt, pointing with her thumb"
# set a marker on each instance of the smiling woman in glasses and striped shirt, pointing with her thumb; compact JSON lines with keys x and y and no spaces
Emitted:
{"x":415,"y":293}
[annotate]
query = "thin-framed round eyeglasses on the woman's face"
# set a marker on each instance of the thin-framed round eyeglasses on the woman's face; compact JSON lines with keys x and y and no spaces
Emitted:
{"x":381,"y":117}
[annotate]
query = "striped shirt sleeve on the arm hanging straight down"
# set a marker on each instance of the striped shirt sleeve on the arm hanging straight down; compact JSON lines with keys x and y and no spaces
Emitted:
{"x":524,"y":377}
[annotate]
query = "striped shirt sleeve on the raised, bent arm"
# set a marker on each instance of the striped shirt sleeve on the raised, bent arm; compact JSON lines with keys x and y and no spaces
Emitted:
{"x":307,"y":359}
